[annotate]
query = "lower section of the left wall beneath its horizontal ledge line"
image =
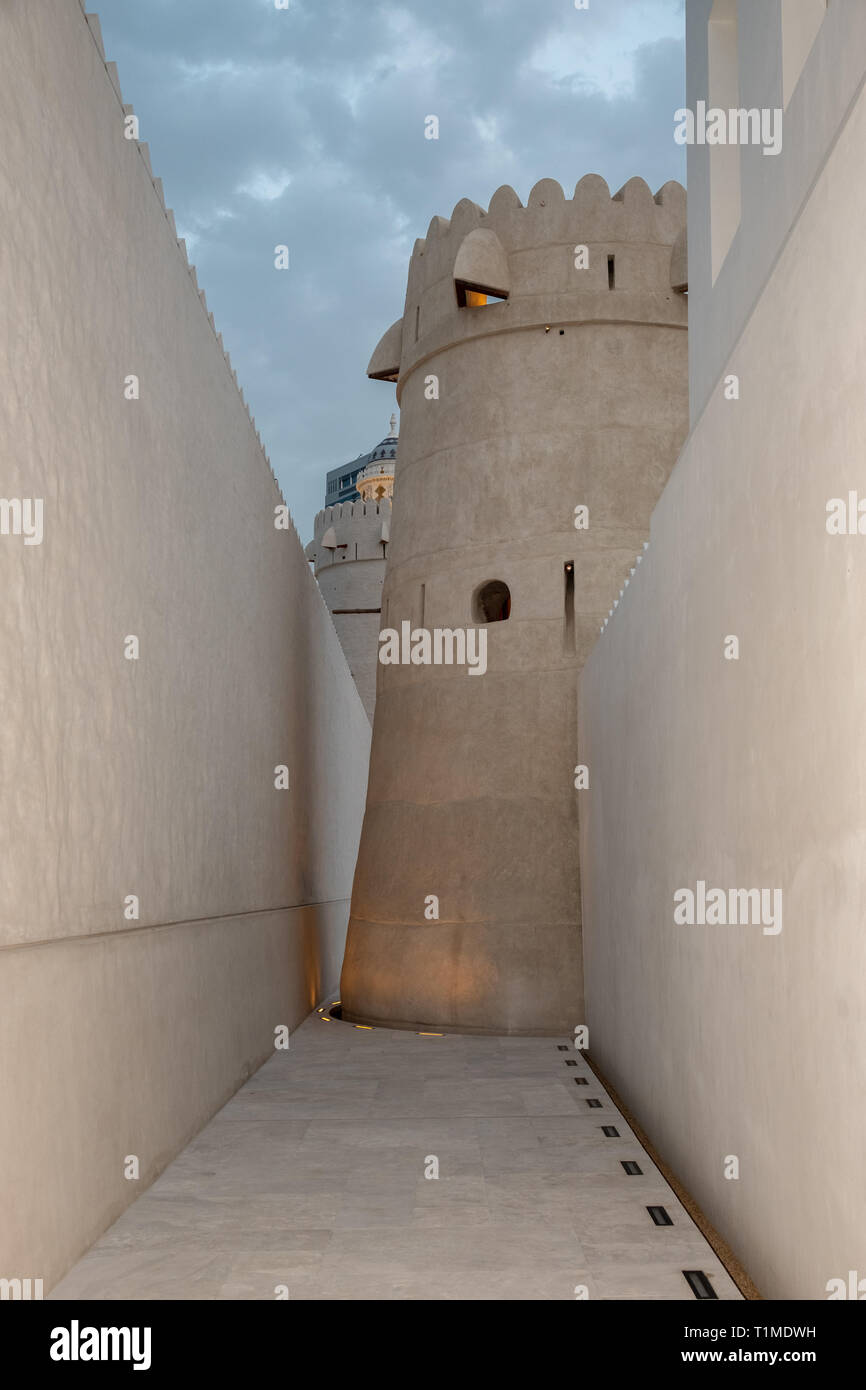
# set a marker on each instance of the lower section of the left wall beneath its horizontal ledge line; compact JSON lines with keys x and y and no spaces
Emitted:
{"x":127,"y":1045}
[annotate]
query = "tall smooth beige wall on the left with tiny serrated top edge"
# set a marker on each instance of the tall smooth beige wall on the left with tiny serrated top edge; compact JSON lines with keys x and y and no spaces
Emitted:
{"x":151,"y":778}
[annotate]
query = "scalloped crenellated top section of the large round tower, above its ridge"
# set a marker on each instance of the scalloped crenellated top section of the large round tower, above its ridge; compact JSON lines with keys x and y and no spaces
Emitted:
{"x":553,"y":259}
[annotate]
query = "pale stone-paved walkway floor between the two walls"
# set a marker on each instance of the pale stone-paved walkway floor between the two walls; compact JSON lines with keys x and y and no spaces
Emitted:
{"x":311,"y":1184}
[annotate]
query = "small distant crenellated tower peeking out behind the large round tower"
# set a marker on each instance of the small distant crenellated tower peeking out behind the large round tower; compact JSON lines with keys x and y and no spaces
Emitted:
{"x":350,"y":550}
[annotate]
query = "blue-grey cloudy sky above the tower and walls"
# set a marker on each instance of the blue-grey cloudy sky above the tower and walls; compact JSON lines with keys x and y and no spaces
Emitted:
{"x":307,"y":127}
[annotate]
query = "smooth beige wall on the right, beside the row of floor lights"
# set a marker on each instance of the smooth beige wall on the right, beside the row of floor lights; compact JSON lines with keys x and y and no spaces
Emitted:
{"x":749,"y":774}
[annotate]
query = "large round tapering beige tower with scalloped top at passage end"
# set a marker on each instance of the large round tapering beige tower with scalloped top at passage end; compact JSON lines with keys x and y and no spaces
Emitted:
{"x":541,"y":369}
